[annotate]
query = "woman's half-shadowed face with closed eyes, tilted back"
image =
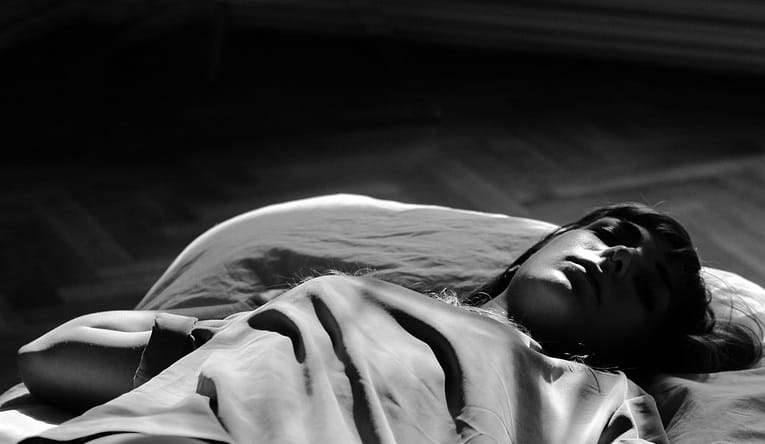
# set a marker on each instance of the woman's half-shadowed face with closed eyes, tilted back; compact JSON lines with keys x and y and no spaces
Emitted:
{"x":604,"y":285}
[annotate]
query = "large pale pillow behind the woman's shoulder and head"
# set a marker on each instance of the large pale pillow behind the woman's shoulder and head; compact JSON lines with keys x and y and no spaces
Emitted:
{"x":250,"y":258}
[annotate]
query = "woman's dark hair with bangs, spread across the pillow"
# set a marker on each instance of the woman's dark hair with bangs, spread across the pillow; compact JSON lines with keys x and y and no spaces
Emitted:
{"x":690,"y":339}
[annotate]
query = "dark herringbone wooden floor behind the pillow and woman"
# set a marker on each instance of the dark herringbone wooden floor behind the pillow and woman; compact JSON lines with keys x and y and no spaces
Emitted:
{"x":121,"y":160}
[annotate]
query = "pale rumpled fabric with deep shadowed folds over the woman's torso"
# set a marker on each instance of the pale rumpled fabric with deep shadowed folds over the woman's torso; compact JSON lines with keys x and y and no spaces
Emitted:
{"x":349,"y":360}
